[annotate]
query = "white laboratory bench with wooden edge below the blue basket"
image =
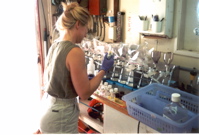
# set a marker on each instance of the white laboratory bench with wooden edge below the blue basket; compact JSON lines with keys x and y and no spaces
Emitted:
{"x":115,"y":117}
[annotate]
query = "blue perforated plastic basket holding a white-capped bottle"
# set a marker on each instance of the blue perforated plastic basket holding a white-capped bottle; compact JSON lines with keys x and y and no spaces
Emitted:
{"x":146,"y":105}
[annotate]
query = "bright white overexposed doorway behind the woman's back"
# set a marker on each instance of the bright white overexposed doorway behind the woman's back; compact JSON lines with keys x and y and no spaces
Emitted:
{"x":19,"y":87}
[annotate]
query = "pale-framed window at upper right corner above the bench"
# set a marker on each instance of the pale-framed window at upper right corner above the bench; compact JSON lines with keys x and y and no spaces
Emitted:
{"x":188,"y":19}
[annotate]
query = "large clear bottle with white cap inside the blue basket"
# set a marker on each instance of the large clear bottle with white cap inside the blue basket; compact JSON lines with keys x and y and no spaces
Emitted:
{"x":175,"y":110}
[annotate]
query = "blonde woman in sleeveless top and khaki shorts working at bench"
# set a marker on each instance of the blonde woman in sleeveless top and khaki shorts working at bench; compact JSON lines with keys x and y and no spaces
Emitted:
{"x":66,"y":74}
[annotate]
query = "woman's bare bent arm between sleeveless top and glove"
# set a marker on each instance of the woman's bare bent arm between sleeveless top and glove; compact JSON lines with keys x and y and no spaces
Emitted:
{"x":75,"y":62}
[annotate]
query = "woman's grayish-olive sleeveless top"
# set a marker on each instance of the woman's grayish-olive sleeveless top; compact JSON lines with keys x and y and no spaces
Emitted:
{"x":57,"y":78}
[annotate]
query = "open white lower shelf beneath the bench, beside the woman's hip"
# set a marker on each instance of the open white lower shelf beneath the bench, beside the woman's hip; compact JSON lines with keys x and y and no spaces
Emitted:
{"x":94,"y":123}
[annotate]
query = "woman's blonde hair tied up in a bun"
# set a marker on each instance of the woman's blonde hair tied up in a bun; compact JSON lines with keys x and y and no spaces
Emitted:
{"x":71,"y":14}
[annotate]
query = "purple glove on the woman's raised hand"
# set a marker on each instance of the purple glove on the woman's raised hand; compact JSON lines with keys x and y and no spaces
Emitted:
{"x":107,"y":63}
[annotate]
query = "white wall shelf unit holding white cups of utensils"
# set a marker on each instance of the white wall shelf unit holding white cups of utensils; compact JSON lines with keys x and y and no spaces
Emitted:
{"x":162,"y":8}
